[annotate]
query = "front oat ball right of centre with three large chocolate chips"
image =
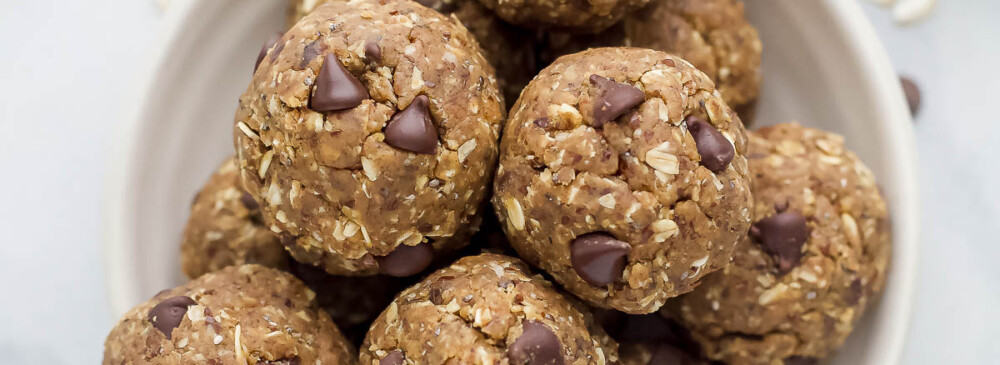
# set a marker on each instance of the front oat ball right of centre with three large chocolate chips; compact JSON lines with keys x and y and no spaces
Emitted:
{"x":622,"y":174}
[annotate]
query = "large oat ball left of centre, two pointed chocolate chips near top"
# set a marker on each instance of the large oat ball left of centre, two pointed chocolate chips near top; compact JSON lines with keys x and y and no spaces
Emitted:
{"x":369,"y":136}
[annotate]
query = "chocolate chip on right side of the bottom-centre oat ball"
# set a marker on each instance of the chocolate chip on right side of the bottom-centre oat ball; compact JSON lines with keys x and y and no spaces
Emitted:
{"x":537,"y":345}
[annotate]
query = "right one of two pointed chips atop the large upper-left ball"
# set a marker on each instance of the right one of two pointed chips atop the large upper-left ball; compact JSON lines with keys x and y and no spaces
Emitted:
{"x":411,"y":129}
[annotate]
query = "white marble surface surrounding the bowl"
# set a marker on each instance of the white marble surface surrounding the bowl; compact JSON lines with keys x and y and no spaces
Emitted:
{"x":66,"y":65}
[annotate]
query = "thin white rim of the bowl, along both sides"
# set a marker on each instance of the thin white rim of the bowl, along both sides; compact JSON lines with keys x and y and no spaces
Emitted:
{"x":119,"y":224}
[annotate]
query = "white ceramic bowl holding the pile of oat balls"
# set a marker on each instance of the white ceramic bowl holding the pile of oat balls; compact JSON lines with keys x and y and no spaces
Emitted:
{"x":823,"y":67}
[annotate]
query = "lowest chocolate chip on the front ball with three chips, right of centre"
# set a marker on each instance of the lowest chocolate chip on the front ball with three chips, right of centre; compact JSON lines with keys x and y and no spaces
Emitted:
{"x":598,"y":258}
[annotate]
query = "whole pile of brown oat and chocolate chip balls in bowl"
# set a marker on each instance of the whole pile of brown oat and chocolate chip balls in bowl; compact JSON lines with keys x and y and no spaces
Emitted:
{"x":373,"y":213}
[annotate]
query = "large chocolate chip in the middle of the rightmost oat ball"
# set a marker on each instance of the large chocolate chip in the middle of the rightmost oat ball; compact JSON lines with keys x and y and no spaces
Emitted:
{"x":782,"y":235}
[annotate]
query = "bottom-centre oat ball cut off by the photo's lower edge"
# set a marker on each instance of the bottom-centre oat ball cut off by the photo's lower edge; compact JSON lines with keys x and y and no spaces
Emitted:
{"x":486,"y":309}
